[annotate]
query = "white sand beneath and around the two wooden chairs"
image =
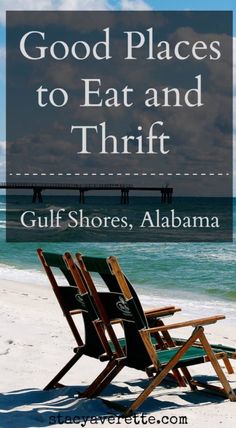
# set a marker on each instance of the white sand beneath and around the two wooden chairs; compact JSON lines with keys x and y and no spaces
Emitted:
{"x":36,"y":342}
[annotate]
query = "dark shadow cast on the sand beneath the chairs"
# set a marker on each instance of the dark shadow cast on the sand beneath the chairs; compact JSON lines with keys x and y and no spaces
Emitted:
{"x":36,"y":408}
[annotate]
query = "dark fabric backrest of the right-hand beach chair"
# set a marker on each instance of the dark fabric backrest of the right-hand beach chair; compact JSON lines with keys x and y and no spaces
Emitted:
{"x":121,"y":303}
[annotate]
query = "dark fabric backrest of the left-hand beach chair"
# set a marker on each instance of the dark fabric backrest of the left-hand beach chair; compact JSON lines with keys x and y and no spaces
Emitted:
{"x":73,"y":298}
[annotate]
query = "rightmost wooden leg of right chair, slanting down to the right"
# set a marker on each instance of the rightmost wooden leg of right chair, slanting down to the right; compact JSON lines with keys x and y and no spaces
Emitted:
{"x":226,"y":386}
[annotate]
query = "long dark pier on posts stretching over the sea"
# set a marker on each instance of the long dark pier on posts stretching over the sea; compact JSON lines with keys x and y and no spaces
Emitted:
{"x":124,"y":189}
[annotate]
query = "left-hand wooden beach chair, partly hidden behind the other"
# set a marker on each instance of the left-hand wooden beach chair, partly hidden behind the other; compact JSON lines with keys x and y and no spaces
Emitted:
{"x":74,"y":299}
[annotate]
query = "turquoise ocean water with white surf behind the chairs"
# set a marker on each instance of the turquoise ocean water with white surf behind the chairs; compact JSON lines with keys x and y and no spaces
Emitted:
{"x":199,"y":277}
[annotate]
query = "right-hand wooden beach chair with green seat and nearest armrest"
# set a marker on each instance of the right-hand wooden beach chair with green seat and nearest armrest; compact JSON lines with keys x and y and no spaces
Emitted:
{"x":142,"y":354}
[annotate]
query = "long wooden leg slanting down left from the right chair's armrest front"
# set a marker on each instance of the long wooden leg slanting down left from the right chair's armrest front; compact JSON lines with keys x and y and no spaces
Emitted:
{"x":159,"y":377}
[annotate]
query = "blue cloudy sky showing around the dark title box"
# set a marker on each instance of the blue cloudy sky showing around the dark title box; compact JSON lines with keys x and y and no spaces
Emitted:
{"x":91,"y":5}
